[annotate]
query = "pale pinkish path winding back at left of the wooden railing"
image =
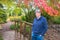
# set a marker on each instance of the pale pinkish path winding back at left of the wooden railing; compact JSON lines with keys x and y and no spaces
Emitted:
{"x":7,"y":33}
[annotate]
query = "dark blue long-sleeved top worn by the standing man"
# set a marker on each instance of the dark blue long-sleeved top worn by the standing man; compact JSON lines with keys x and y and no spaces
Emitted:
{"x":40,"y":26}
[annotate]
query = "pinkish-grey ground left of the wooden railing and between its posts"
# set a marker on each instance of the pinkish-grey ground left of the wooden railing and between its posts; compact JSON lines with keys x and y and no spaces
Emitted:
{"x":10,"y":34}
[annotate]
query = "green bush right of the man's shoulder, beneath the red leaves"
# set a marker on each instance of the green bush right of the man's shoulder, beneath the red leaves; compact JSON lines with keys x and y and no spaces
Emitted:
{"x":51,"y":19}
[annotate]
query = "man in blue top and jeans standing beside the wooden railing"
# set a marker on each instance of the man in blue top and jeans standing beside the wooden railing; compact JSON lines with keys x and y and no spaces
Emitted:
{"x":39,"y":27}
